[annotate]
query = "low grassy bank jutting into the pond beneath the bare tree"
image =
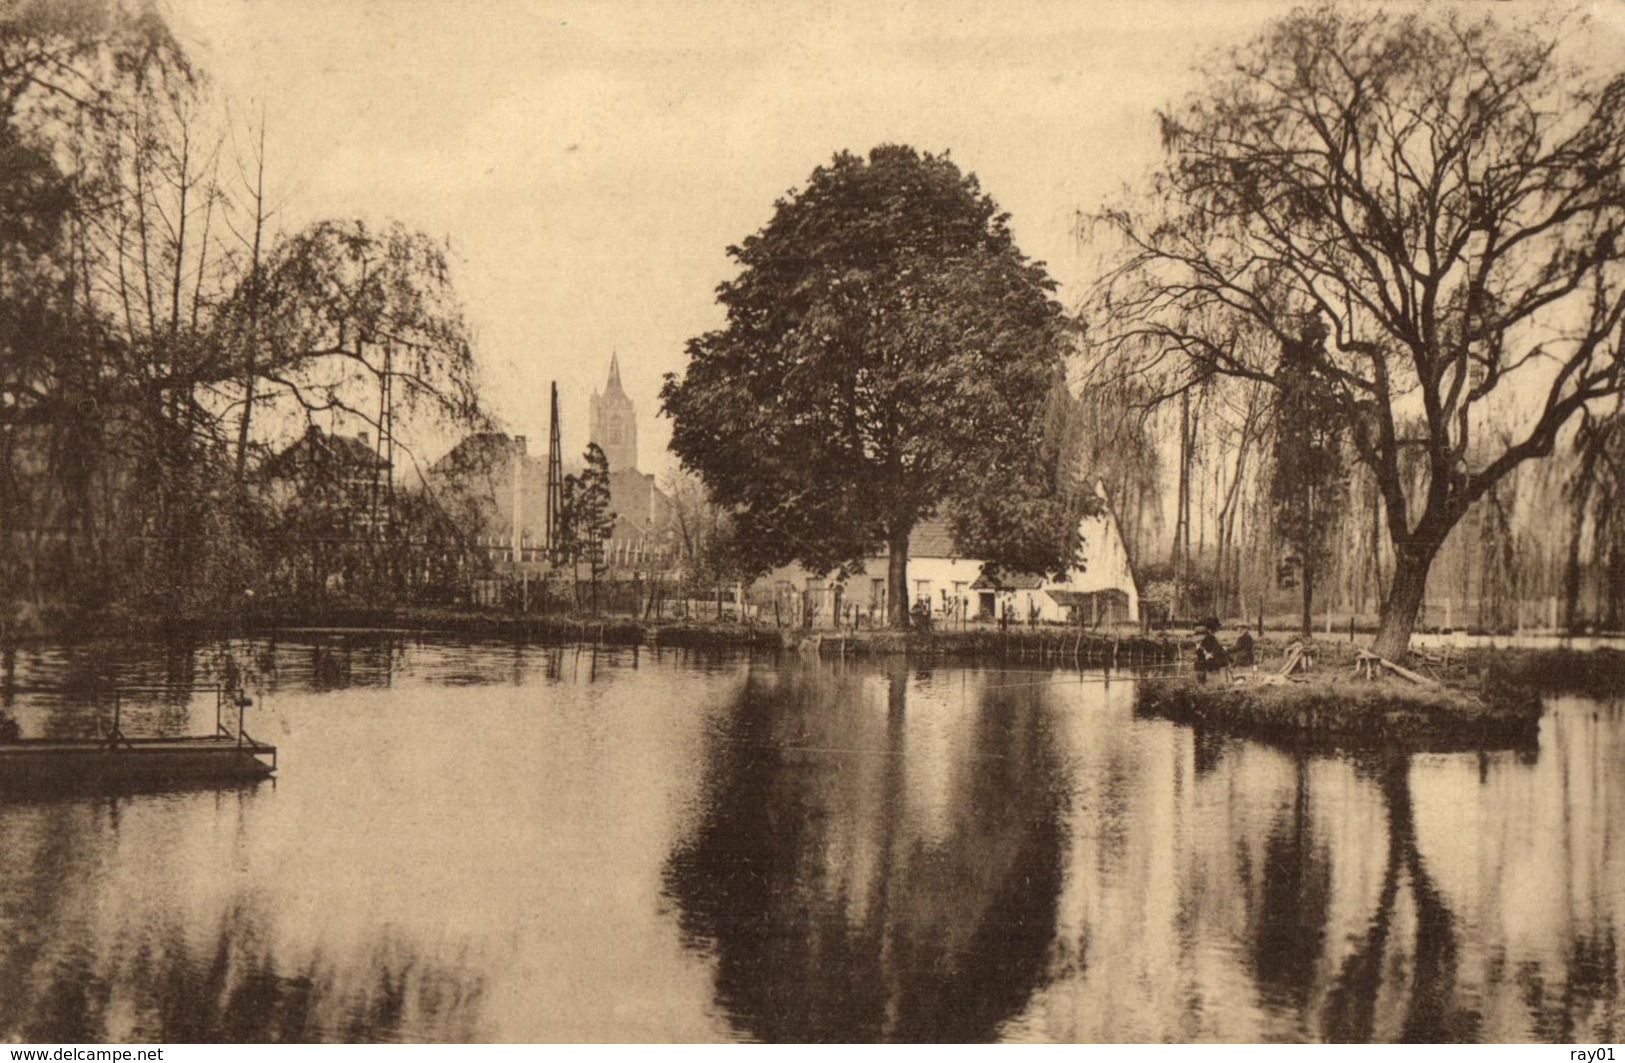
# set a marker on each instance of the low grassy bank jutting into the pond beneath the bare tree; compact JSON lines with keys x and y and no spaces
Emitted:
{"x":1340,"y":711}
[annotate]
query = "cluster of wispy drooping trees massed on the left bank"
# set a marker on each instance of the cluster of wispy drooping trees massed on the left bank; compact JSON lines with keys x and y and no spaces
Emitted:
{"x":196,"y":404}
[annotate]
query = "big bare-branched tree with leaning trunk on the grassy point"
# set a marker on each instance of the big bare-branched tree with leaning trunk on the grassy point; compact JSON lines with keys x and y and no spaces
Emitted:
{"x":1442,"y":194}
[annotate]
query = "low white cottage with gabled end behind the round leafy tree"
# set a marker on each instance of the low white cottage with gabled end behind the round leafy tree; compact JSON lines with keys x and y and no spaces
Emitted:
{"x":1104,"y":592}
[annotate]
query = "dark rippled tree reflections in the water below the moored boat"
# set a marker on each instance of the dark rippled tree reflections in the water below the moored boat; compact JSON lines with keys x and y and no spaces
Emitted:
{"x":103,"y":945}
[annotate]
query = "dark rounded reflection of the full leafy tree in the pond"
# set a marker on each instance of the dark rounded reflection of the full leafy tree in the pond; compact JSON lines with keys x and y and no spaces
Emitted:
{"x":838,"y":906}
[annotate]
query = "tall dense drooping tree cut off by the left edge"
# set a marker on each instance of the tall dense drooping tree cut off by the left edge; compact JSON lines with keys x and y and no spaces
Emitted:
{"x":71,"y":77}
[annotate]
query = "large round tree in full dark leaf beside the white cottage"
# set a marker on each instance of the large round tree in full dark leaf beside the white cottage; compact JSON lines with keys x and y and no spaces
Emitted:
{"x":890,"y":354}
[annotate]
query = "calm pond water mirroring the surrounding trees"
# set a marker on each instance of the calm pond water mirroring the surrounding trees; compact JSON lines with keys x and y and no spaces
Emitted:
{"x":493,"y":843}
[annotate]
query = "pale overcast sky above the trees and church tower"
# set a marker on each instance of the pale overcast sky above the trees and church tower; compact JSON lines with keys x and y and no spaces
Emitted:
{"x":592,"y":162}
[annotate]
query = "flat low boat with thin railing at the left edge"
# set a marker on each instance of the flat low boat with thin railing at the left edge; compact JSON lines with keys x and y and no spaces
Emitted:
{"x":118,"y":760}
